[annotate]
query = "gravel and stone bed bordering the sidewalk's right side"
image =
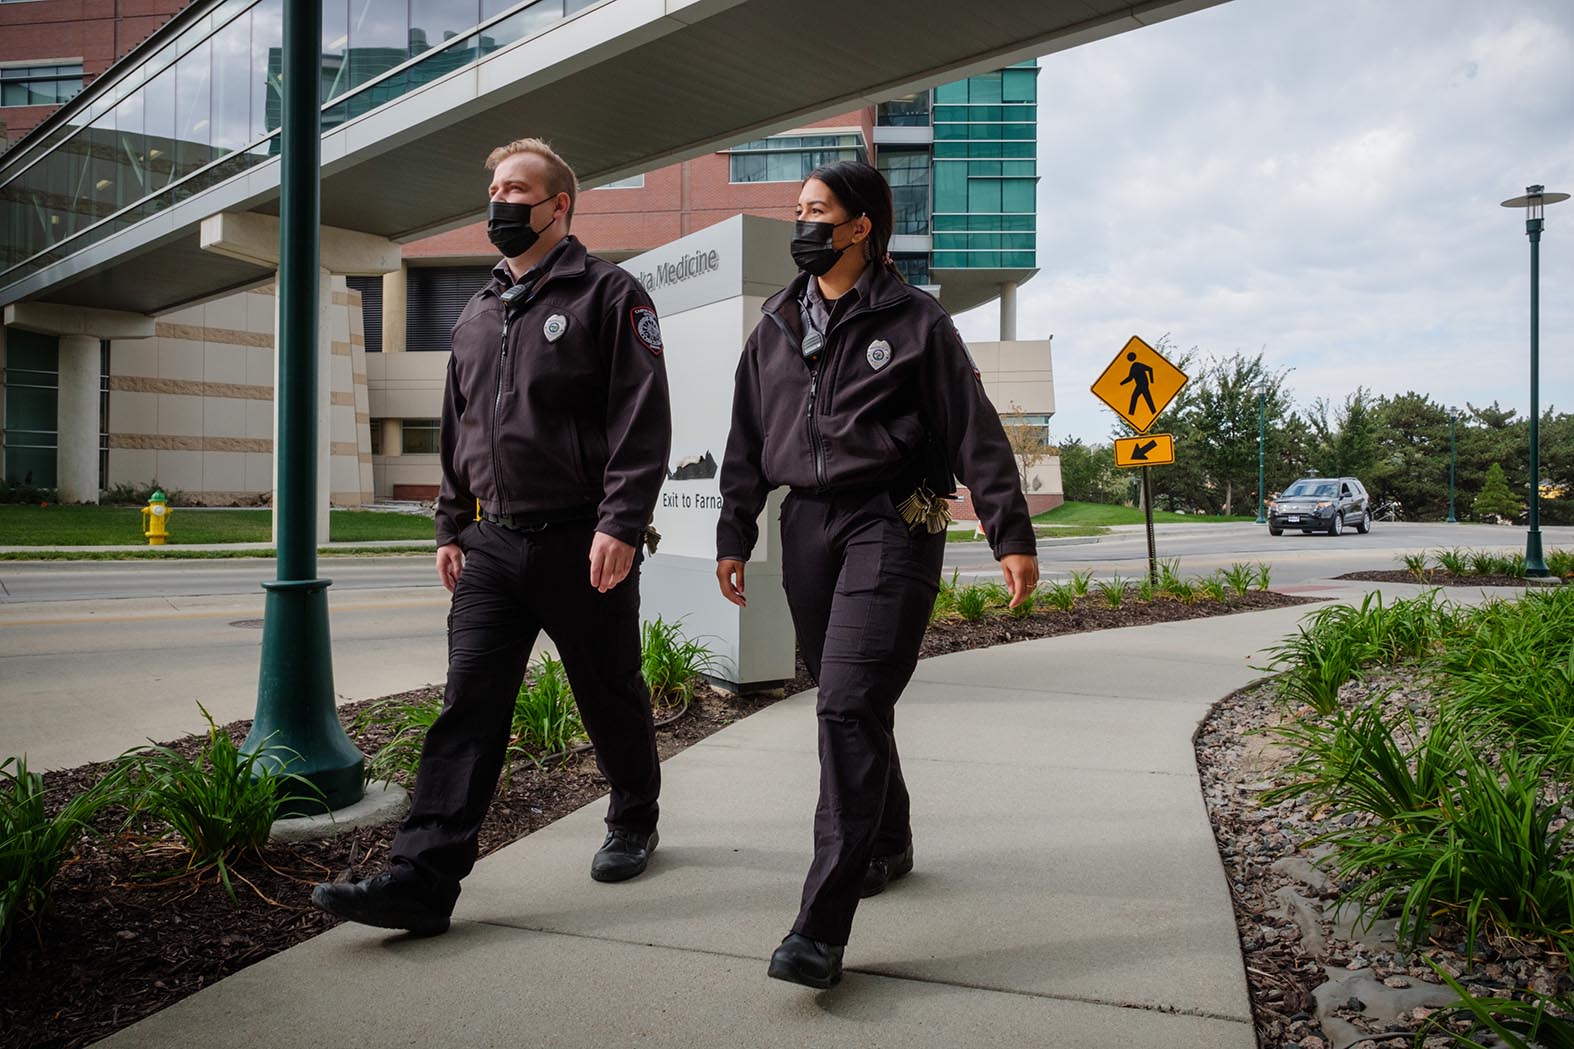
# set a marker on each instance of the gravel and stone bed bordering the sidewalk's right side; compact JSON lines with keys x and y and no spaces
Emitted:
{"x":1317,"y":980}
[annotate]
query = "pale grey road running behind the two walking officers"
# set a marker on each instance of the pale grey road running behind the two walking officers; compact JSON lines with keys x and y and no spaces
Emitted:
{"x":97,"y":658}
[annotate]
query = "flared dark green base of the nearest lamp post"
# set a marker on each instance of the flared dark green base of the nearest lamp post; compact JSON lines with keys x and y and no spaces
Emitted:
{"x":297,"y":724}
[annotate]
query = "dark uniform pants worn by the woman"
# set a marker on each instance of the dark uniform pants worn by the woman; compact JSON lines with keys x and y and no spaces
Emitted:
{"x":862,"y":588}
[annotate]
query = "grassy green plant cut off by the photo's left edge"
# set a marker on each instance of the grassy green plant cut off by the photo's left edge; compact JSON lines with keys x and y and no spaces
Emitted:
{"x":34,"y":845}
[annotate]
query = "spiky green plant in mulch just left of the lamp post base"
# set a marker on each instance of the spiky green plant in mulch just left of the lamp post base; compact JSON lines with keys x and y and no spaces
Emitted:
{"x":221,"y":806}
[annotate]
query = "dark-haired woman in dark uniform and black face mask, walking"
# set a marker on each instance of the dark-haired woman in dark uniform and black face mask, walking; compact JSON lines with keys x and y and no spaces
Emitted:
{"x":857,"y":393}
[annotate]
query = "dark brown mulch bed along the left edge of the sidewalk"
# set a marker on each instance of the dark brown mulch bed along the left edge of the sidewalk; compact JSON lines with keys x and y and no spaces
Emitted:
{"x":122,"y":940}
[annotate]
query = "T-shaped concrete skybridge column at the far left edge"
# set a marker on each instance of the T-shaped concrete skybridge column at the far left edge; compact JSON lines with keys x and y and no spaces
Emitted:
{"x":81,"y":332}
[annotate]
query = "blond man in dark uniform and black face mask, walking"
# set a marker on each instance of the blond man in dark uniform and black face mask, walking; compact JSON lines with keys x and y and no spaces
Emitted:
{"x":556,"y":420}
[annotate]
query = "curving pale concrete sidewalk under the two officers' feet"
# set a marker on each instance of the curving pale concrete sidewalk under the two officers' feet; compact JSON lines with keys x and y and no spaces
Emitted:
{"x":1068,"y":888}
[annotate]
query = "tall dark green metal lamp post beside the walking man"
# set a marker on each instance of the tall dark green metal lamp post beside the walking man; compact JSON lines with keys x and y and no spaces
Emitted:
{"x":297,"y":721}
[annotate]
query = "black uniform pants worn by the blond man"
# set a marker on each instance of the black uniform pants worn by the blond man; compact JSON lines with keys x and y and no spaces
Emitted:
{"x":514,"y":587}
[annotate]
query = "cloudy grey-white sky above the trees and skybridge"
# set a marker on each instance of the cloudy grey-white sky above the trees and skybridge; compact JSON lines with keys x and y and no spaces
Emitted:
{"x":1318,"y":180}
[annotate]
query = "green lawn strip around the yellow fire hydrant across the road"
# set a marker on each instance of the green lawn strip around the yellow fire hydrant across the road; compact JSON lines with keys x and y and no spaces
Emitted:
{"x":119,"y":525}
